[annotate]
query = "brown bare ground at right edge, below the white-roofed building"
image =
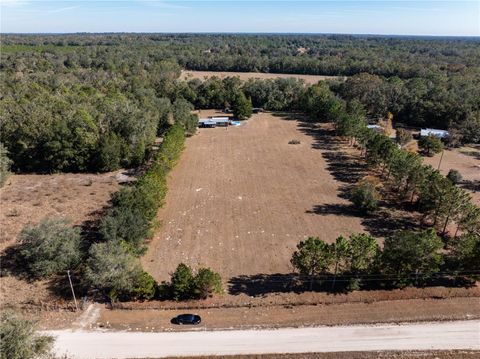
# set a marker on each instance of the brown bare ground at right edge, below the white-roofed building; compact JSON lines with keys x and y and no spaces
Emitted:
{"x":467,"y":165}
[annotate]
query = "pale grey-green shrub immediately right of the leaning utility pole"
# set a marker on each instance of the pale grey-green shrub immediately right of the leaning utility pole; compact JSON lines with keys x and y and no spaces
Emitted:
{"x":112,"y":270}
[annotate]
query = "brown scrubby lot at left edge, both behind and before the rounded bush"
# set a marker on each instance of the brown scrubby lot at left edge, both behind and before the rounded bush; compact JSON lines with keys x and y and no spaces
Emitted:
{"x":28,"y":199}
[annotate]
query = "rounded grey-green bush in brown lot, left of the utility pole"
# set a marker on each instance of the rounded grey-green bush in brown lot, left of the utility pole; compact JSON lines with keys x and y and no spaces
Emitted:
{"x":50,"y":247}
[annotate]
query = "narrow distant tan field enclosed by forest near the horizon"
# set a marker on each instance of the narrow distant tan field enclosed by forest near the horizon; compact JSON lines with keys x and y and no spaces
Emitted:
{"x":309,"y":79}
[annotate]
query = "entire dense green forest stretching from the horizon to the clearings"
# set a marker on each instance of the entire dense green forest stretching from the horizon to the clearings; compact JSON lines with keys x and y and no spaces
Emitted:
{"x":86,"y":102}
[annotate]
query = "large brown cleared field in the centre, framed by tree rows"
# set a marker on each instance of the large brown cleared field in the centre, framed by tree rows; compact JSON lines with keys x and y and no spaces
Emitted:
{"x":241,"y":198}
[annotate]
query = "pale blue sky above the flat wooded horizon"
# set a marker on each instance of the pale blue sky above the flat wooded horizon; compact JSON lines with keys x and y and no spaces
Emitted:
{"x":439,"y":18}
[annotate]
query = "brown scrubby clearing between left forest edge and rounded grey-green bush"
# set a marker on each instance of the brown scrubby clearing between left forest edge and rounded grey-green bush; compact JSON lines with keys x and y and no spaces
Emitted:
{"x":29,"y":198}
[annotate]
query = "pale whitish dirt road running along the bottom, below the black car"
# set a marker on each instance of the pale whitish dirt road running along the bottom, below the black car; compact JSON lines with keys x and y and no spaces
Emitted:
{"x":426,"y":336}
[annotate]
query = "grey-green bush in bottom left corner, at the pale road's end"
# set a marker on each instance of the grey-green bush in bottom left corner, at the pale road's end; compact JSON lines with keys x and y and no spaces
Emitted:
{"x":20,"y":341}
